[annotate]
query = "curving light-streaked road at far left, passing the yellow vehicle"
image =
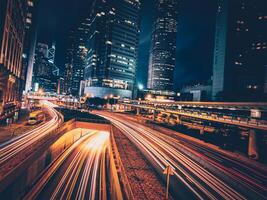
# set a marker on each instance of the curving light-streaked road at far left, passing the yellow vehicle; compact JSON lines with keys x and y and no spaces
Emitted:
{"x":23,"y":143}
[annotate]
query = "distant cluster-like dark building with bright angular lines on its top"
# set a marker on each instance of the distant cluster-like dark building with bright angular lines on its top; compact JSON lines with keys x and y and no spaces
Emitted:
{"x":43,"y":76}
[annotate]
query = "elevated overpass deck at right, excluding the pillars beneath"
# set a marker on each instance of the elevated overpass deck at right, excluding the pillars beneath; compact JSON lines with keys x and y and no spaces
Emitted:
{"x":209,"y":111}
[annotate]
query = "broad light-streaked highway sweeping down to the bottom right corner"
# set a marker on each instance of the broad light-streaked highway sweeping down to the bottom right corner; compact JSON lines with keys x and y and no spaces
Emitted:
{"x":205,"y":173}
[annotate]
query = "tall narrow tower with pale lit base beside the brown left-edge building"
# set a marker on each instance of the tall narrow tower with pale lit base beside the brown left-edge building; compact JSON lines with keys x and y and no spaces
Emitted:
{"x":29,"y":43}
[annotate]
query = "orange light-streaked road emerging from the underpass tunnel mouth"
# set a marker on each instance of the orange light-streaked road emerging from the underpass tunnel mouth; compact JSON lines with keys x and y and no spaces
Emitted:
{"x":79,"y":173}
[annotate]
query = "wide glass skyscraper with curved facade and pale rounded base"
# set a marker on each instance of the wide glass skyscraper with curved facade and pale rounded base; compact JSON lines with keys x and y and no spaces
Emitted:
{"x":112,"y":48}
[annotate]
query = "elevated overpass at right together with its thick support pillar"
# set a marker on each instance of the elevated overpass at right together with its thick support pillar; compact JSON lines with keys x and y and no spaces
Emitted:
{"x":250,"y":116}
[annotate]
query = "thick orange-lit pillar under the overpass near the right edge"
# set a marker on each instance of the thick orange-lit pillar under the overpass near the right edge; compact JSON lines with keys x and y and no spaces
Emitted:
{"x":252,"y":145}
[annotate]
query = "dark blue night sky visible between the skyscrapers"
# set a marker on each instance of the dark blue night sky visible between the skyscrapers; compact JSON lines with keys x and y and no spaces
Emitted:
{"x":195,"y":37}
